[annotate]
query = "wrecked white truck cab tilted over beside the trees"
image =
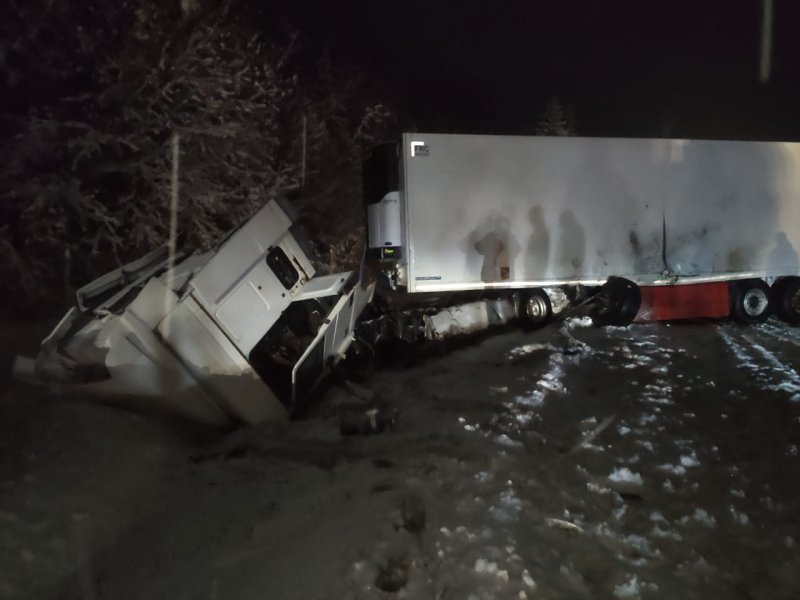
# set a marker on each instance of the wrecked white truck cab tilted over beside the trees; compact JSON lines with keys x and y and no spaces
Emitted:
{"x":241,"y":334}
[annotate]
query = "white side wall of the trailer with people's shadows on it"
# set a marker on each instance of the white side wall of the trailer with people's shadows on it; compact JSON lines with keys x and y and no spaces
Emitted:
{"x":501,"y":211}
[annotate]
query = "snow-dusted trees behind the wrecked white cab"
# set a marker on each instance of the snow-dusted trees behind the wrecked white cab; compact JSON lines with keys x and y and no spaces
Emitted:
{"x":92,"y":94}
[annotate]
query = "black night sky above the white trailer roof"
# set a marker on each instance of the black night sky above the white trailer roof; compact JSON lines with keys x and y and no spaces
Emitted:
{"x":628,"y":68}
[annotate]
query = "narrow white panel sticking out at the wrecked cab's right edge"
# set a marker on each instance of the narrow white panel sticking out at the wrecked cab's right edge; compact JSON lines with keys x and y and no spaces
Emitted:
{"x":329,"y":347}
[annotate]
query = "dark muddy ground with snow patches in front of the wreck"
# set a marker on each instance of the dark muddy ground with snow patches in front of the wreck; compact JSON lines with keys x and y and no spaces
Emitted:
{"x":650,"y":461}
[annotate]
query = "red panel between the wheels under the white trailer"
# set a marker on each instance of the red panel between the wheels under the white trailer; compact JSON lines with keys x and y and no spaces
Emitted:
{"x":694,"y":301}
